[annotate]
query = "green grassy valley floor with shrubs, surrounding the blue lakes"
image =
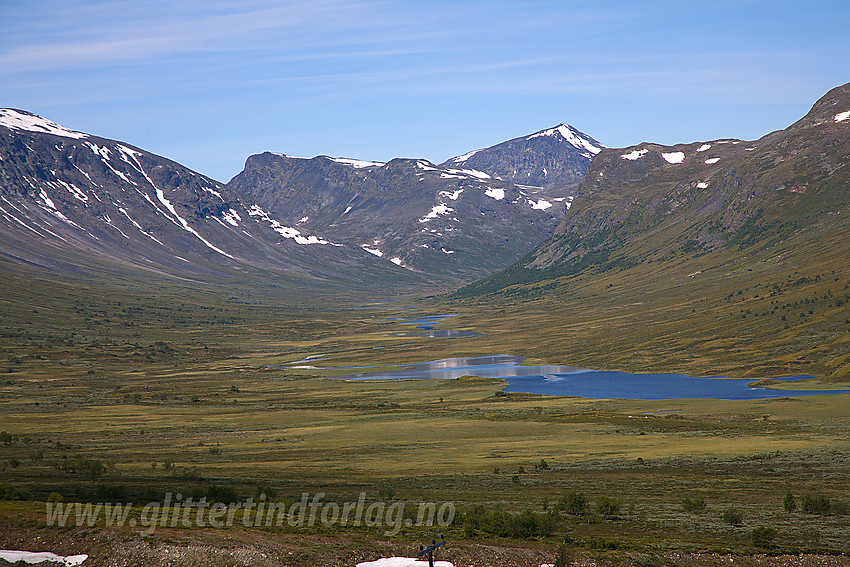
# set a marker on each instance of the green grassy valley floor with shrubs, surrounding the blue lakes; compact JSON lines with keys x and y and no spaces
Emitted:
{"x":134,"y":394}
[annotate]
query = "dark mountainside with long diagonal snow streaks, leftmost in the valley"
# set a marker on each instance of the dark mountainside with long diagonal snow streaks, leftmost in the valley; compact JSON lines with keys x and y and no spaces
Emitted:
{"x":69,"y":199}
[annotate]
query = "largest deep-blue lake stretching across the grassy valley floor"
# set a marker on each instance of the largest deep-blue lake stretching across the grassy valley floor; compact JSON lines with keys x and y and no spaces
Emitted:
{"x":555,"y":380}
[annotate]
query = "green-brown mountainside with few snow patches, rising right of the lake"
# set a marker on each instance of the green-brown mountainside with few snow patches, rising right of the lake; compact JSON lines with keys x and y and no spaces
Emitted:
{"x":718,"y":257}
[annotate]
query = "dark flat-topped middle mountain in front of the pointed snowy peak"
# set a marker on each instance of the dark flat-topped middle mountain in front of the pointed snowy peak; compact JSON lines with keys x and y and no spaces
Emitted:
{"x":437,"y":220}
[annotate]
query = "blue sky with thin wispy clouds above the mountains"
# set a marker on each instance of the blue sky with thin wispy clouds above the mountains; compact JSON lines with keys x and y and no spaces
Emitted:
{"x":208,"y":83}
